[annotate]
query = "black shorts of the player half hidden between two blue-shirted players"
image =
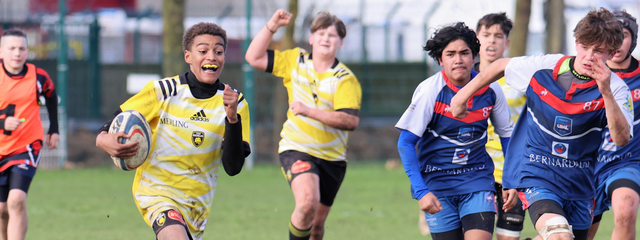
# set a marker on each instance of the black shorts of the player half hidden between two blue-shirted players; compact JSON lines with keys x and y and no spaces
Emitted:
{"x":512,"y":219}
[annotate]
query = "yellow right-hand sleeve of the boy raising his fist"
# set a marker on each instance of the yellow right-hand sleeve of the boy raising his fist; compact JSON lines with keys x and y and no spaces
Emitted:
{"x":348,"y":94}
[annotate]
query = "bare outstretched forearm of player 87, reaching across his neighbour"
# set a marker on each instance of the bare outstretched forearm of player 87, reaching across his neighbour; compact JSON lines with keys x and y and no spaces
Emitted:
{"x":490,"y":74}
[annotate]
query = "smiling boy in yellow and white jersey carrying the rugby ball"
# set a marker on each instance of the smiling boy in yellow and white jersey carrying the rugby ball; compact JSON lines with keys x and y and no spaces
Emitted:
{"x":196,"y":123}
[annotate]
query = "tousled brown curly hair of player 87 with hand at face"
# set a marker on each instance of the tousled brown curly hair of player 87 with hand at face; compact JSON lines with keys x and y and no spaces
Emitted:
{"x":599,"y":26}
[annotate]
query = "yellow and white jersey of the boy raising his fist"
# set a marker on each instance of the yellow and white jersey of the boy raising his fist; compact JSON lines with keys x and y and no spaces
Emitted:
{"x":335,"y":89}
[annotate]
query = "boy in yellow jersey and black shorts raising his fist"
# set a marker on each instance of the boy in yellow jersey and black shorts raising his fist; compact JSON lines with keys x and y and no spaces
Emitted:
{"x":324,"y":102}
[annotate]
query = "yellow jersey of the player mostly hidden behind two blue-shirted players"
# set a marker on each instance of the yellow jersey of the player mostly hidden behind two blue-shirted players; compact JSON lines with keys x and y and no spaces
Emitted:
{"x":516,"y":101}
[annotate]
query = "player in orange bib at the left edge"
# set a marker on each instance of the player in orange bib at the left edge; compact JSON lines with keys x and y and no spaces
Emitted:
{"x":23,"y":86}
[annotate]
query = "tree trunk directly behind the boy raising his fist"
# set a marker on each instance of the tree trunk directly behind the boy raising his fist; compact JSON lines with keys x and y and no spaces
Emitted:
{"x":281,"y":104}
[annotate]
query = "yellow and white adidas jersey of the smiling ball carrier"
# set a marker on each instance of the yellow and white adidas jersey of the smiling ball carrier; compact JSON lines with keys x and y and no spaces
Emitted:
{"x":181,"y":172}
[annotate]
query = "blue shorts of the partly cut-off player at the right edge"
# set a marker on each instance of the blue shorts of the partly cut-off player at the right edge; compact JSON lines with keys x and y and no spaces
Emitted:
{"x":603,"y":200}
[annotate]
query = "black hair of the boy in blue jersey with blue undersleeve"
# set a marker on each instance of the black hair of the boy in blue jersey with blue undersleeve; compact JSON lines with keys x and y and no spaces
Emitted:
{"x":442,"y":37}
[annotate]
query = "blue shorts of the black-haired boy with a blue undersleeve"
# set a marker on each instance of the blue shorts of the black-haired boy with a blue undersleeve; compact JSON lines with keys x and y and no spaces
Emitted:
{"x":457,"y":206}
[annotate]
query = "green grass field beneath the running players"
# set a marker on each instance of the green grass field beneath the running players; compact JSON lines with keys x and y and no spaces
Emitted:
{"x":373,"y":203}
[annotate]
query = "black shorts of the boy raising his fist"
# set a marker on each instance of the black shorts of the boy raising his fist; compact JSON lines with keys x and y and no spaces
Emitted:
{"x":330,"y":173}
